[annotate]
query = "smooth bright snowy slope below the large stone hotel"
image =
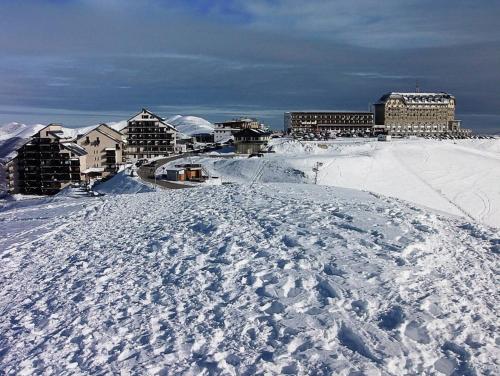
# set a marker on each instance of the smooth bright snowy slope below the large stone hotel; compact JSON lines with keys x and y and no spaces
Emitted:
{"x":460,"y":177}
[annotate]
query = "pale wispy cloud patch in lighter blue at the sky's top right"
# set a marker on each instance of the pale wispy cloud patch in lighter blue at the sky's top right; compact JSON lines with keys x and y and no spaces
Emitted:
{"x":382,"y":24}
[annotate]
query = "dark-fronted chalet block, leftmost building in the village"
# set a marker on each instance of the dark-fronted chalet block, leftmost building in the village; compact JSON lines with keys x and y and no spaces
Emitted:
{"x":47,"y":163}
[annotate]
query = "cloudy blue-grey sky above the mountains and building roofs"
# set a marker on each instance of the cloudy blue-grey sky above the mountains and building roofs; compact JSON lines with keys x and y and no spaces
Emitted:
{"x":81,"y":62}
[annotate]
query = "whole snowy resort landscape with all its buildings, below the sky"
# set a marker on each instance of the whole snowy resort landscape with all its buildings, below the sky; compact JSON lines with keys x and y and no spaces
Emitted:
{"x":347,"y":243}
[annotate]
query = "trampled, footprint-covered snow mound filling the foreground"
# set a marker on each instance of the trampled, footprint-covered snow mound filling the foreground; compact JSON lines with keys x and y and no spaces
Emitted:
{"x":269,"y":279}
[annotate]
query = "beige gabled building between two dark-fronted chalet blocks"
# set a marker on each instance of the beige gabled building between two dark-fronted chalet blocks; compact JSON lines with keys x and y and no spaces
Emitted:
{"x":105,"y":149}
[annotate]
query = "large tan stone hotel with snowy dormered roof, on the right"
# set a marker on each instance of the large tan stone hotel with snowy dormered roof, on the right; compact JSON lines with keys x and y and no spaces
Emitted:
{"x":419,"y":114}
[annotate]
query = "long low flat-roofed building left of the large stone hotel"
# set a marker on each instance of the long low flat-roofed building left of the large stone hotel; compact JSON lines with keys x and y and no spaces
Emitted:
{"x":301,"y":123}
